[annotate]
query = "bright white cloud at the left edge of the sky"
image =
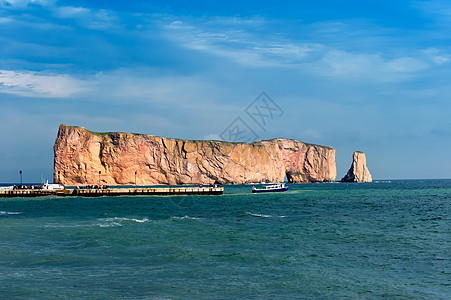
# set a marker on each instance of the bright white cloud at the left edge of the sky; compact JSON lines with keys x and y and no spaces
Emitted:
{"x":35,"y":84}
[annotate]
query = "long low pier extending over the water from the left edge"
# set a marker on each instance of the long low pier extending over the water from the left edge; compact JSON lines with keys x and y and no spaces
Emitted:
{"x":117,"y":191}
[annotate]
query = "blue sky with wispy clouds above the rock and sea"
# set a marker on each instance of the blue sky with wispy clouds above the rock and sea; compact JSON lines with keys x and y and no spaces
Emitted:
{"x":354,"y":75}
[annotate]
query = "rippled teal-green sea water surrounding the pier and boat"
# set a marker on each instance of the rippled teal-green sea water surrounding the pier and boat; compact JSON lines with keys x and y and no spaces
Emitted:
{"x":380,"y":240}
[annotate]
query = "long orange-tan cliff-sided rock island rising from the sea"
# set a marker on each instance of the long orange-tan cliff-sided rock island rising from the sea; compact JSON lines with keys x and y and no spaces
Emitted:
{"x":121,"y":157}
